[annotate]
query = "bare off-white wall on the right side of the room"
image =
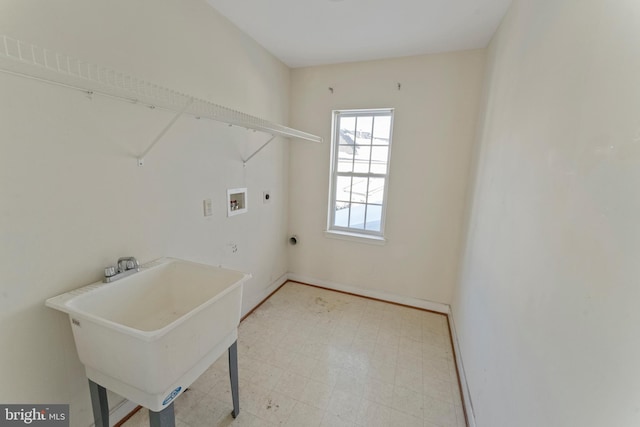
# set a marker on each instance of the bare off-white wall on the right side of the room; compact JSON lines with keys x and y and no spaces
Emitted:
{"x":547,"y":307}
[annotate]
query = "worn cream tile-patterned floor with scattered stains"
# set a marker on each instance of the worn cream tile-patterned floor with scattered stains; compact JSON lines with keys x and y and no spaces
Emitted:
{"x":312,"y":357}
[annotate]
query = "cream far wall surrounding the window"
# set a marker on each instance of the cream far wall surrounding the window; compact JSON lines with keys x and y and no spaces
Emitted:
{"x":434,"y":124}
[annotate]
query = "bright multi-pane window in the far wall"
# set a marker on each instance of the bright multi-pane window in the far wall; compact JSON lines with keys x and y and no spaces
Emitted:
{"x":360,"y":150}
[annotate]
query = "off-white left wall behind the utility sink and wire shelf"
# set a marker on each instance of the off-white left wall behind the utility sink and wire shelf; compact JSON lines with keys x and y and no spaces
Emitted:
{"x":72,"y":198}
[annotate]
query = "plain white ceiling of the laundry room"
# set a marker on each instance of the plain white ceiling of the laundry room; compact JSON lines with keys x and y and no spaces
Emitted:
{"x":314,"y":32}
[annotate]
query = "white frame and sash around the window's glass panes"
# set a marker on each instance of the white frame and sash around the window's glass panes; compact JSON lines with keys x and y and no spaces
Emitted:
{"x":368,"y":236}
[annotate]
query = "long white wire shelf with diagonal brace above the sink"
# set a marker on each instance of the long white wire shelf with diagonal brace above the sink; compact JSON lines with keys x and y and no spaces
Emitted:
{"x":27,"y":60}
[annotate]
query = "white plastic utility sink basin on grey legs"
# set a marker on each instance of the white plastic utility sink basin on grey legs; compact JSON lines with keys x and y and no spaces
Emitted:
{"x":148,"y":336}
